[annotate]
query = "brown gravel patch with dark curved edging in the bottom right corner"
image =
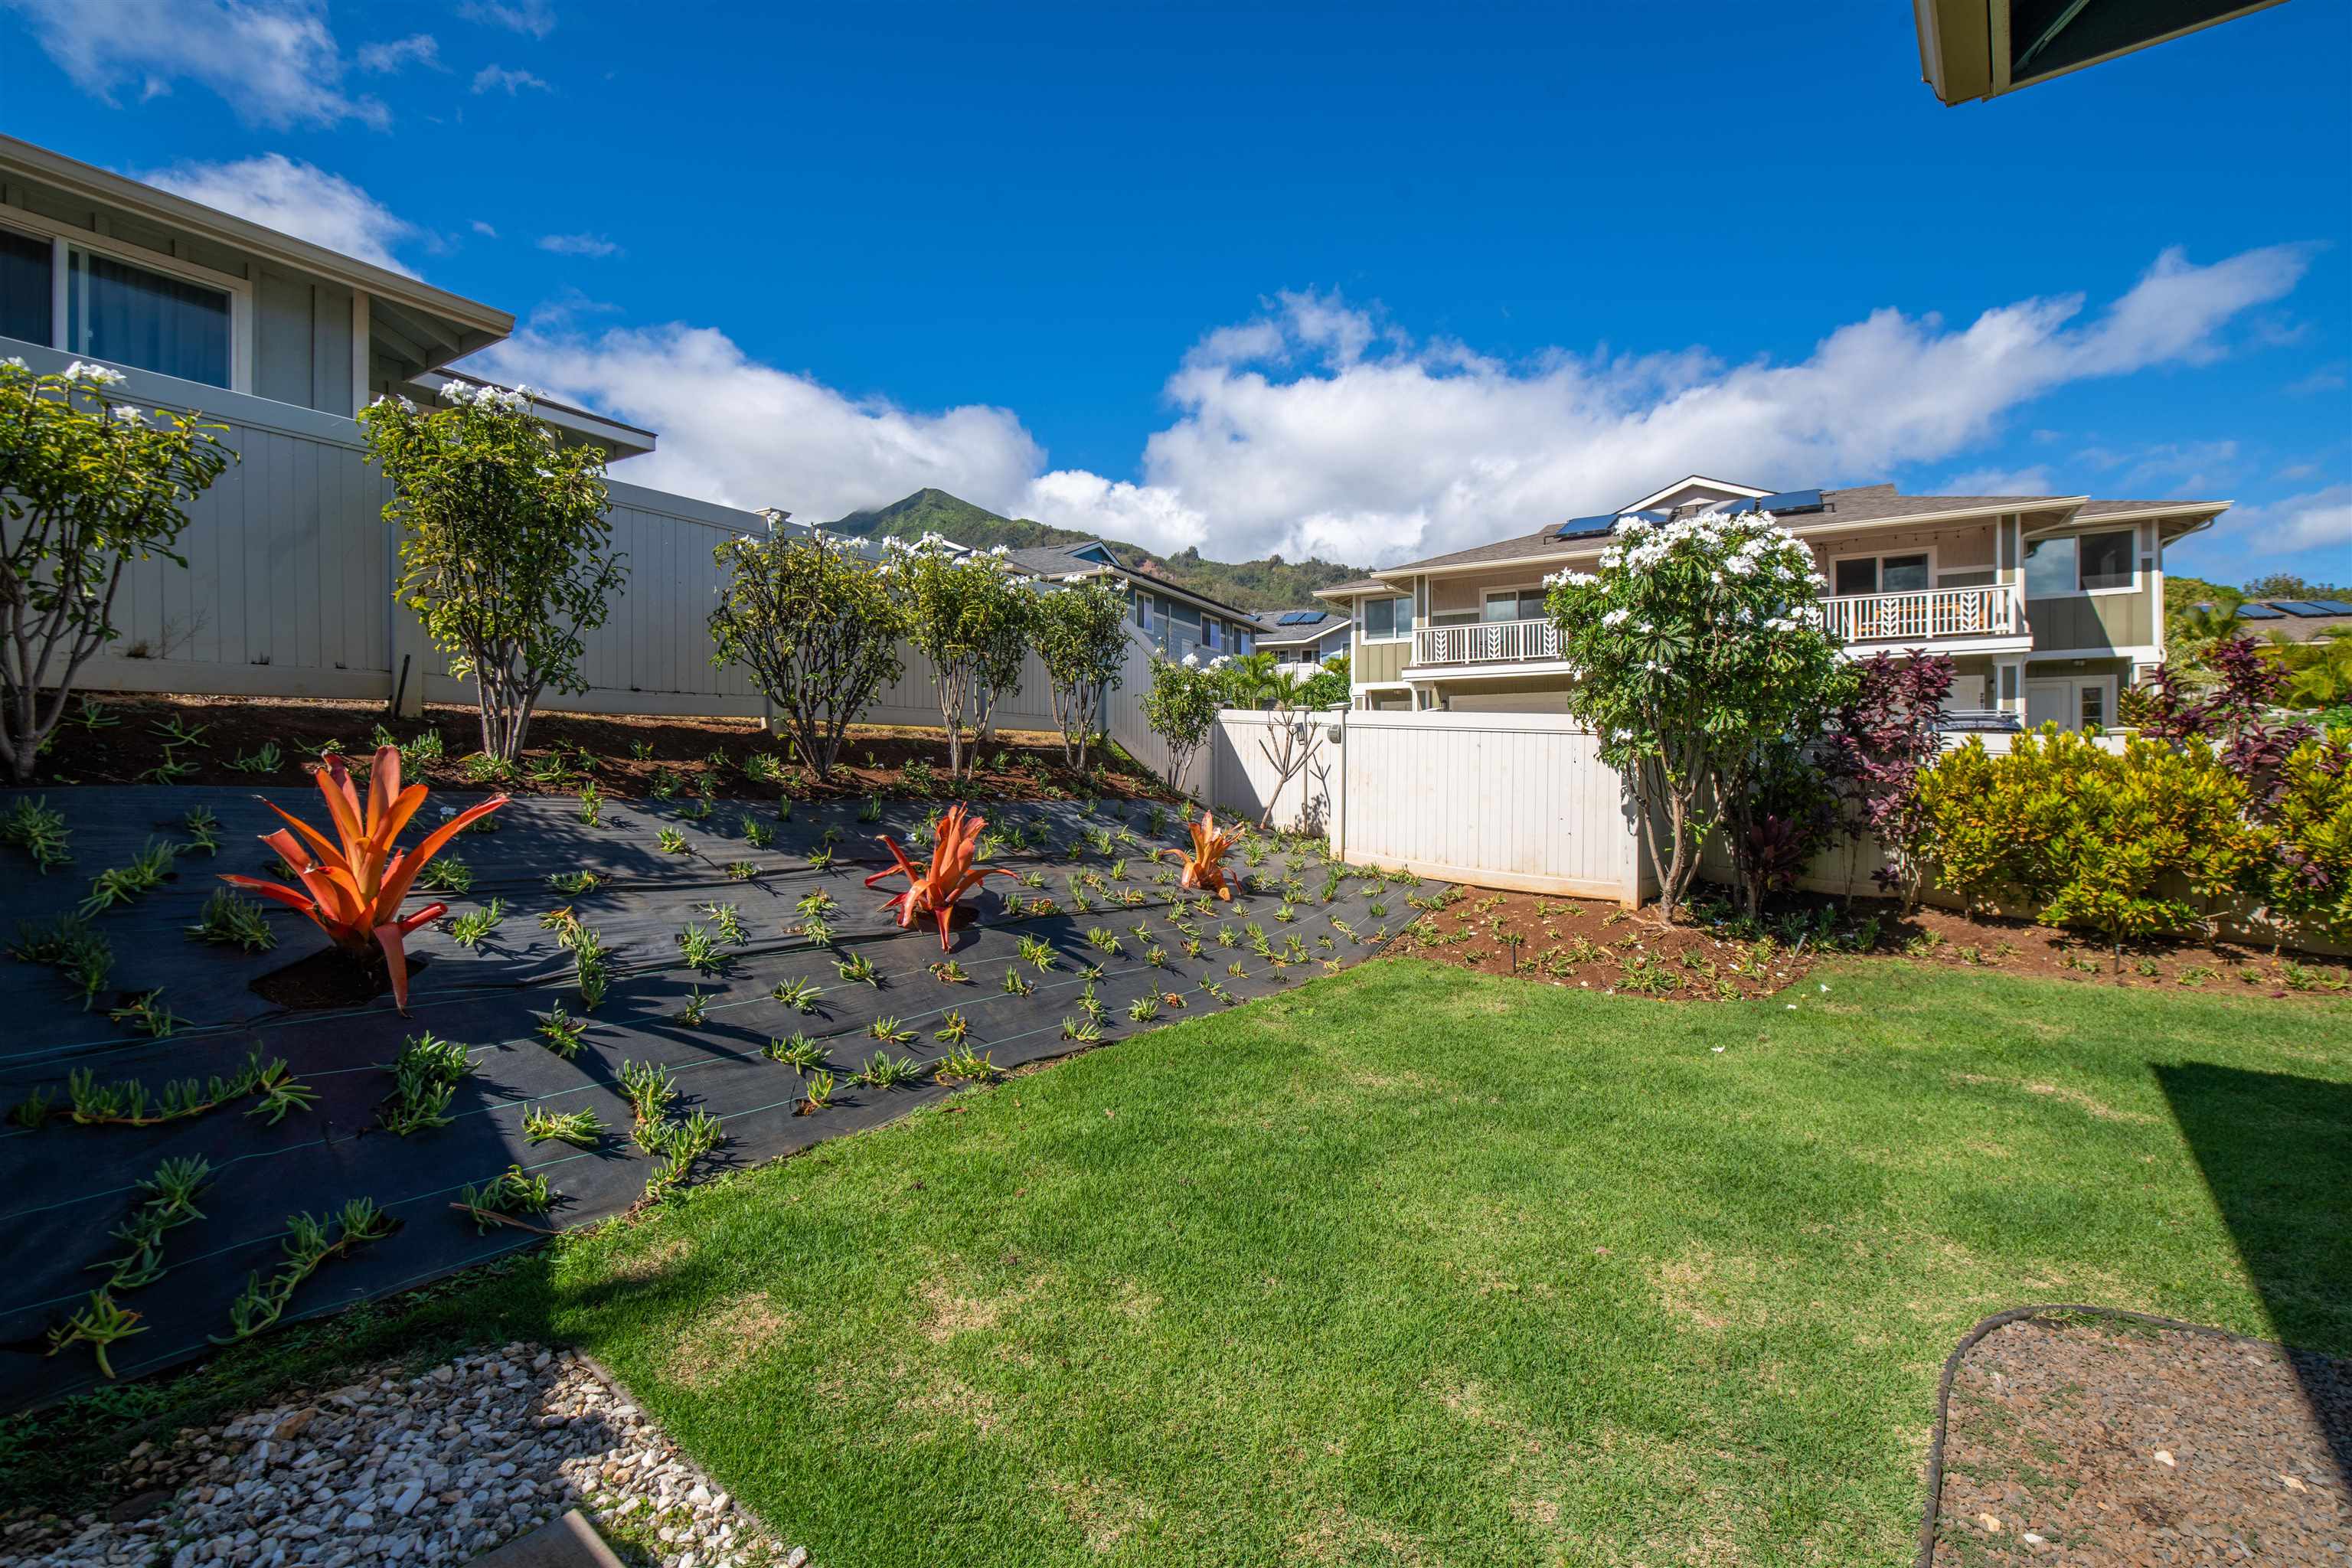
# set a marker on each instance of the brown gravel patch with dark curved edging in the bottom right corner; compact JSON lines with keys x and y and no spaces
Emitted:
{"x":2106,"y":1445}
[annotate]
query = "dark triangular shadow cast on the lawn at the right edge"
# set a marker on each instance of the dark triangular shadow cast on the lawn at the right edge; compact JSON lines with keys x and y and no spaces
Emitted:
{"x":2276,"y":1153}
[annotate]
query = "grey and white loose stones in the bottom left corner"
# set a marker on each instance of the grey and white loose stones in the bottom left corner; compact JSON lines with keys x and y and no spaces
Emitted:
{"x":396,"y":1468}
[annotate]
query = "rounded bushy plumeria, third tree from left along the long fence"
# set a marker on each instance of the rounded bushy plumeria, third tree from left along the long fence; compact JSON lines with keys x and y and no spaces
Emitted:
{"x":815,"y":626}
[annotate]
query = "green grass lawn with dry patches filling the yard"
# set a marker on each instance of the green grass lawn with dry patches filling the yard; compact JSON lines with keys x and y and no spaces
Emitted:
{"x":1424,"y":1268}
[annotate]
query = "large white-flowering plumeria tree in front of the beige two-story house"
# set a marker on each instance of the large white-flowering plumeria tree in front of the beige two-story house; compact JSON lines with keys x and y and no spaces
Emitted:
{"x":1695,"y":645}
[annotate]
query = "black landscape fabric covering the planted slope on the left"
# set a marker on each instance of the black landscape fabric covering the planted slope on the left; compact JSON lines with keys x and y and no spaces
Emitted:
{"x":69,"y":1186}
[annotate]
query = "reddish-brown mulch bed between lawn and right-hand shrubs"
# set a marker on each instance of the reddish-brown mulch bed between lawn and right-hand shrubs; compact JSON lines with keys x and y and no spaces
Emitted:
{"x":1596,"y":946}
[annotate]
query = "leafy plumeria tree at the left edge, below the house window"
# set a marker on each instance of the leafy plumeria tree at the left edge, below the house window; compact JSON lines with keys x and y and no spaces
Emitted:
{"x":88,"y":485}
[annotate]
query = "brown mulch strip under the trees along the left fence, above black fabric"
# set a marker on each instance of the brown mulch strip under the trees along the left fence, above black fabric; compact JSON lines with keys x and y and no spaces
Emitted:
{"x":1015,"y":765}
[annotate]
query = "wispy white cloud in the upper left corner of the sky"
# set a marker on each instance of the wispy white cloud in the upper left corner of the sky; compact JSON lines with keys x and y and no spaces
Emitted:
{"x":274,"y":62}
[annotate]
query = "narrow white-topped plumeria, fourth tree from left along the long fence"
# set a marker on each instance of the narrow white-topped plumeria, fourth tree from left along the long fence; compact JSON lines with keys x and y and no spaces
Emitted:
{"x":970,"y":617}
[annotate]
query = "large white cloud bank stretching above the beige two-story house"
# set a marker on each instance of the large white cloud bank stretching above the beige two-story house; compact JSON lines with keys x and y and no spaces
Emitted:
{"x":1316,"y":429}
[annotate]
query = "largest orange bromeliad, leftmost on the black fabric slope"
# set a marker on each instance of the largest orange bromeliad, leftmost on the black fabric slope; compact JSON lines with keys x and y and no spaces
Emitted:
{"x":354,"y":890}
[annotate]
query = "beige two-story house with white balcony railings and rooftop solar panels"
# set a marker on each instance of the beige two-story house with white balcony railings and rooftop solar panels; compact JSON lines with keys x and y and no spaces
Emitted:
{"x":2047,"y":605}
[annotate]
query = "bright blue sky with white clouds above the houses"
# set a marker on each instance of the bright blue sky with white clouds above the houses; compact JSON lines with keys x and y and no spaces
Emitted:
{"x":1354,"y":281}
